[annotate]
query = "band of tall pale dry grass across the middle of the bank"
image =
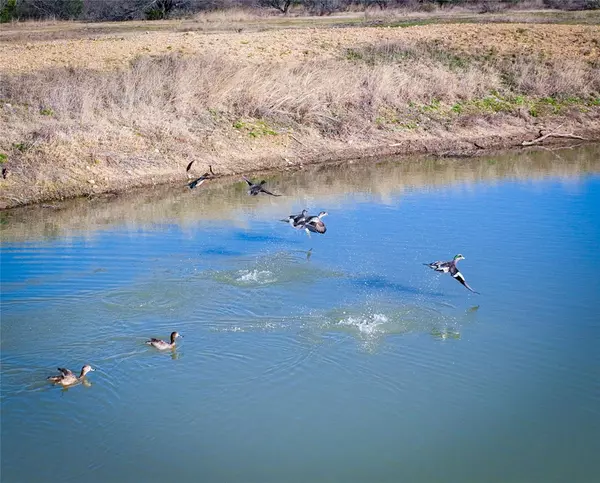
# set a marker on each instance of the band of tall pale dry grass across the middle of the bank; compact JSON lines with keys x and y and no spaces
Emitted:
{"x":339,"y":97}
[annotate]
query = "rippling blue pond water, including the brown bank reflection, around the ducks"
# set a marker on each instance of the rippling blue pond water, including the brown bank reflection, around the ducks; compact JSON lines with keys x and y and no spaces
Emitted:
{"x":334,"y":358}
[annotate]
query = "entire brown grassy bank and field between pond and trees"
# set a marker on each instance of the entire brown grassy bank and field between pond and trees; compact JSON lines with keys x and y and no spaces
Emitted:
{"x":89,"y":108}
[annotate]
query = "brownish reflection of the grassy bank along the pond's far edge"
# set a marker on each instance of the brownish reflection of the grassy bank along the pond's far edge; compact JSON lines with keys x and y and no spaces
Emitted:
{"x":225,"y":201}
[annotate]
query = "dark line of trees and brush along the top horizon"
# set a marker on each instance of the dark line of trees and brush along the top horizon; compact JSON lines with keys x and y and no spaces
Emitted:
{"x":115,"y":10}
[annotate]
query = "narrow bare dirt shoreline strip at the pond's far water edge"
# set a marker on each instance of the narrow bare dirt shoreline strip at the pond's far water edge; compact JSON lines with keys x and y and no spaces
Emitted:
{"x":451,"y":147}
